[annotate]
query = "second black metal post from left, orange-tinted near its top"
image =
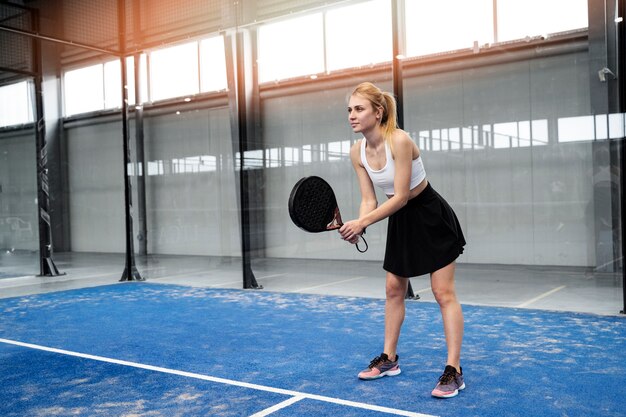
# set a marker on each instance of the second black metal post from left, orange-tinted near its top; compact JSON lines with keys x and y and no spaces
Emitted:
{"x":130,"y":269}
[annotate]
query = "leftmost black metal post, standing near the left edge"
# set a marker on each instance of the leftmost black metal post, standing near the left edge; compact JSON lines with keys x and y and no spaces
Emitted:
{"x":46,"y":264}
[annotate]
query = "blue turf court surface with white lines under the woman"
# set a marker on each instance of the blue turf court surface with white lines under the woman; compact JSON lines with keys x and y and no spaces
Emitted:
{"x":143,"y":349}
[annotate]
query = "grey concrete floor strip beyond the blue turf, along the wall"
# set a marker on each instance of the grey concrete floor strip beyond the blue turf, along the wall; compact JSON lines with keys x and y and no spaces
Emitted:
{"x":548,"y":288}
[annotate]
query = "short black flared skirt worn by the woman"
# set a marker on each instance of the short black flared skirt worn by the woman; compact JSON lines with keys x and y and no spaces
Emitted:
{"x":423,"y":236}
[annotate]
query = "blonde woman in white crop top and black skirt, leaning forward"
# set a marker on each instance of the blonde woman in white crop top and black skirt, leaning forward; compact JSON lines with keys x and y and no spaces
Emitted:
{"x":423,"y":234}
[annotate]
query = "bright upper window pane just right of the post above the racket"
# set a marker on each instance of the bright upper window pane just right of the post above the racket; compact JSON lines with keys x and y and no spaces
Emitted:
{"x":291,"y":48}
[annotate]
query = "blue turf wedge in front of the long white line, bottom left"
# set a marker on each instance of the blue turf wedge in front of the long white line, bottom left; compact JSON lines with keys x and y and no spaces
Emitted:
{"x":38,"y":383}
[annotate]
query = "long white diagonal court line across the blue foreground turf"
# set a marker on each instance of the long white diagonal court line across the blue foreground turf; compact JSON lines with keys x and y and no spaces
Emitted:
{"x":219,"y":380}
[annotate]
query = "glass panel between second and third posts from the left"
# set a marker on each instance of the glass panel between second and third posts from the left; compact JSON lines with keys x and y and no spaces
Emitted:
{"x":191,"y":199}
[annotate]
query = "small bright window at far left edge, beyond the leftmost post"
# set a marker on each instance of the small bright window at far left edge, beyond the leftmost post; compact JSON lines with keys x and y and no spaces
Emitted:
{"x":16,"y":105}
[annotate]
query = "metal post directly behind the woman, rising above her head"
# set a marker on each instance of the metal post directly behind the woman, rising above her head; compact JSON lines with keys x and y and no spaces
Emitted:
{"x":397,"y":26}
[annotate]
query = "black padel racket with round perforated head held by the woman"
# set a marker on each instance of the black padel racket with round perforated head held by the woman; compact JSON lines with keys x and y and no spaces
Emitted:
{"x":313,"y":207}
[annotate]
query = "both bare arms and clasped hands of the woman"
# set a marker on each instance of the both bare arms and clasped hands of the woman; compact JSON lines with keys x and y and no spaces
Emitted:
{"x":403,"y":156}
